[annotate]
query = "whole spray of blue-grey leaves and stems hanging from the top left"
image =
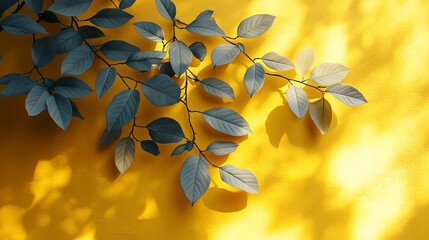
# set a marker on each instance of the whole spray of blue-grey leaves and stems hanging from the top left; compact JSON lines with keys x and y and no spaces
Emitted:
{"x":162,"y":89}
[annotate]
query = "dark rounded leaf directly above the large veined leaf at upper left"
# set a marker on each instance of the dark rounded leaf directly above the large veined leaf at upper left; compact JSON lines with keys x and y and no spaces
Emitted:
{"x":67,"y":40}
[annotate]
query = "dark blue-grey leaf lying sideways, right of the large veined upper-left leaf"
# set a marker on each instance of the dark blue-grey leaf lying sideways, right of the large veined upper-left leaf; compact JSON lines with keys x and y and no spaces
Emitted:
{"x":118,"y":50}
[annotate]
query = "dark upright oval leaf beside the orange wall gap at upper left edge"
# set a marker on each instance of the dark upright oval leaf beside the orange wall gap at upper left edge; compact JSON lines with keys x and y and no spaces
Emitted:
{"x":43,"y":51}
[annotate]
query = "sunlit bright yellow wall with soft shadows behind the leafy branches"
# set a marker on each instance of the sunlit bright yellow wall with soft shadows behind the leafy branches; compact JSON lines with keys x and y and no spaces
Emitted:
{"x":366,"y":179}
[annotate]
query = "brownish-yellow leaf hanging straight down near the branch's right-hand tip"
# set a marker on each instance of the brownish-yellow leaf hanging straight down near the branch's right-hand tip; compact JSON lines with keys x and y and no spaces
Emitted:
{"x":321,"y":114}
